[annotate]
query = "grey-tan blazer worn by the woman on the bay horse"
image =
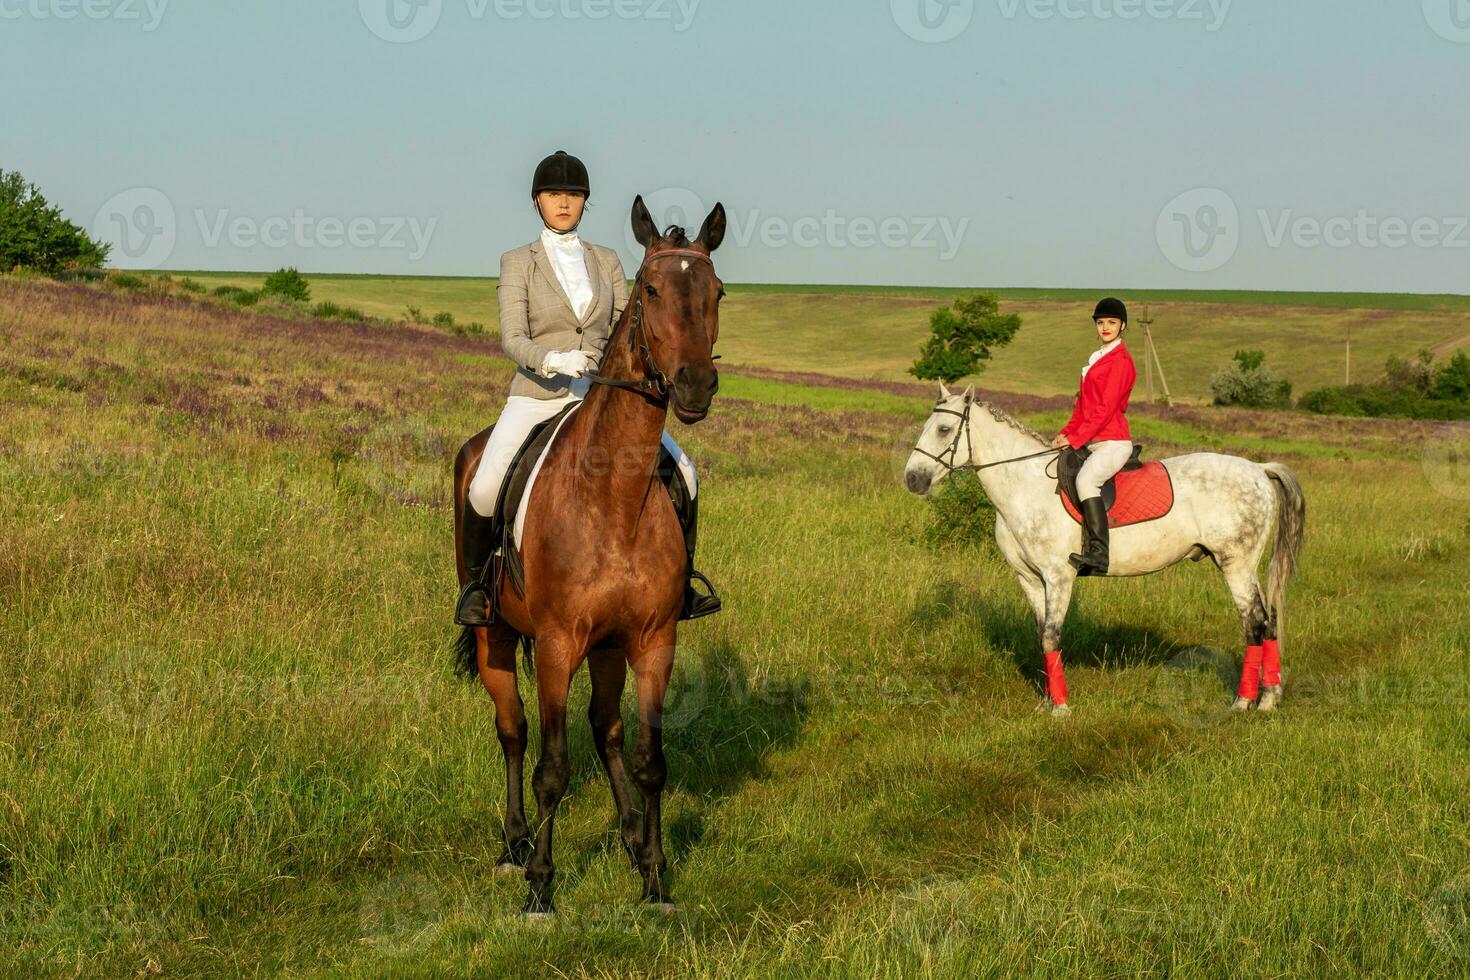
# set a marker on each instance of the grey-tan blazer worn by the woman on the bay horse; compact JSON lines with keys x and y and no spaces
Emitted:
{"x":537,"y":318}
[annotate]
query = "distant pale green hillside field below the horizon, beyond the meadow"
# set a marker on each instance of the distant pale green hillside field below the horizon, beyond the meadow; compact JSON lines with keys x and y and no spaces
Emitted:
{"x":874,"y":333}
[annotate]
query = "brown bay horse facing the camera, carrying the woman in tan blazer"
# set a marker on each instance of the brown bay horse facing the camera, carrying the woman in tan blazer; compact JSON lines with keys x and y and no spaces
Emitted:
{"x":603,"y":561}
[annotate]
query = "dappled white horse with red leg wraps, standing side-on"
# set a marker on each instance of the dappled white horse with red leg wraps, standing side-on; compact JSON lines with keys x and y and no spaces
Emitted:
{"x":1222,"y":511}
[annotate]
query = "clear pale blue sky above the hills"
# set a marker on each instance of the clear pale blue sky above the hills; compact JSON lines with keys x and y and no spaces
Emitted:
{"x":1259,"y":145}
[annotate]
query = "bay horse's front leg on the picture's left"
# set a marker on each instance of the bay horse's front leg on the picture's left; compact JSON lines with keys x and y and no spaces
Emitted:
{"x":558,"y":659}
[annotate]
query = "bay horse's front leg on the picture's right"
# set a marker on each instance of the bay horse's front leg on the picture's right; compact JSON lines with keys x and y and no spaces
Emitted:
{"x":652,"y":669}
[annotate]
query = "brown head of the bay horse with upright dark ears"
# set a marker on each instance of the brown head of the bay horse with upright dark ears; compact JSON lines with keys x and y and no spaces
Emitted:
{"x":678,"y":298}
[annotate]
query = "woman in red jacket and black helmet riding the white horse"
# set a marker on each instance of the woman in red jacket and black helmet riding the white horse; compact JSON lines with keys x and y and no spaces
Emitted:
{"x":1100,"y":422}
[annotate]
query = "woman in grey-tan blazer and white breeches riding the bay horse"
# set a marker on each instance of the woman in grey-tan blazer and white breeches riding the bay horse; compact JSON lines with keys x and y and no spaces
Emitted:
{"x":559,"y":302}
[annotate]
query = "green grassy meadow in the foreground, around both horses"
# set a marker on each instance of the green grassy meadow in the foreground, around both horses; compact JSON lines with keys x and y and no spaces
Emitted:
{"x":232,"y":743}
